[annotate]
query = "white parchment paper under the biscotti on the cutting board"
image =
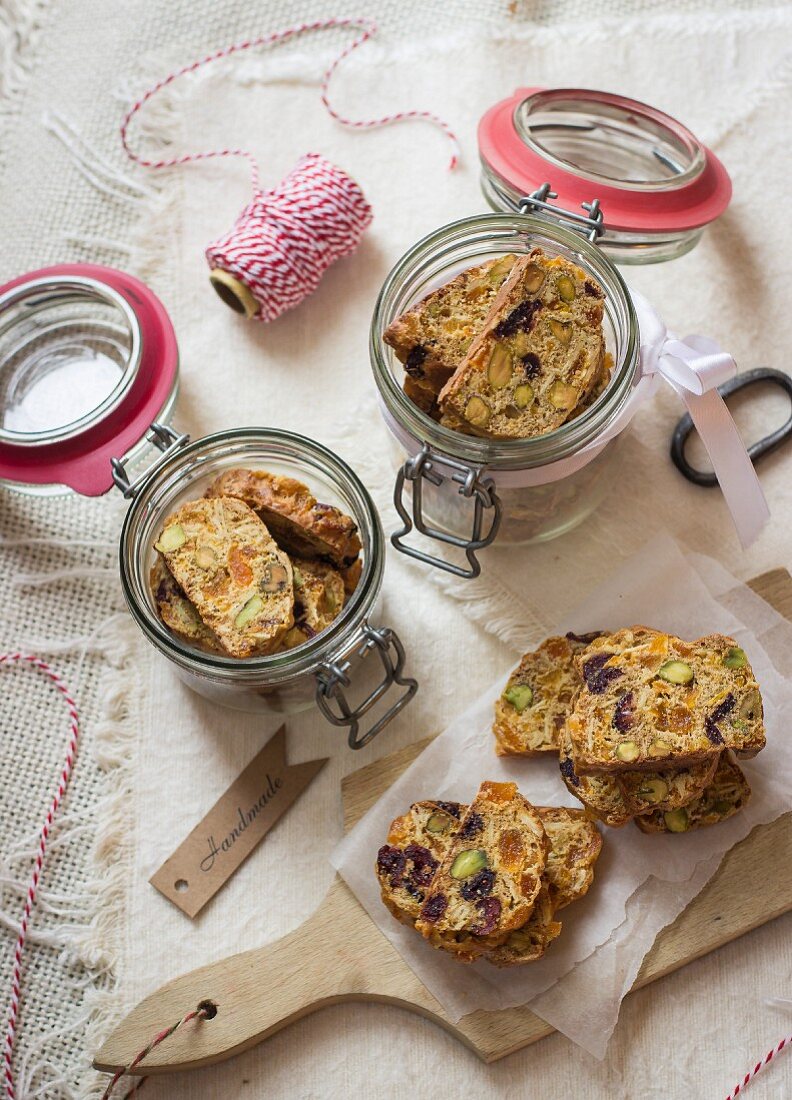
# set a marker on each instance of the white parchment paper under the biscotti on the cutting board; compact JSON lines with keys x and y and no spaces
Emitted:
{"x":642,"y":883}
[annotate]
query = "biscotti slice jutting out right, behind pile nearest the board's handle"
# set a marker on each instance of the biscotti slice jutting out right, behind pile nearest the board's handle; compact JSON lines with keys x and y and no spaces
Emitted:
{"x":575,"y":846}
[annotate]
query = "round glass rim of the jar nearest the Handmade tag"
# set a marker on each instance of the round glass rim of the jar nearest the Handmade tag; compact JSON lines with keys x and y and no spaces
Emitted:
{"x":289,"y":665}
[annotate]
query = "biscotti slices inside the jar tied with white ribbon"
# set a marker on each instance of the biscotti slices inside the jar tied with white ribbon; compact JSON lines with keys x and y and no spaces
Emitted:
{"x":510,"y":349}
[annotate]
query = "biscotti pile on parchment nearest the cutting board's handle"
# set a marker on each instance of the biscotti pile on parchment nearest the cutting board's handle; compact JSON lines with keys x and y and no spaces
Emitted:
{"x":487,"y":881}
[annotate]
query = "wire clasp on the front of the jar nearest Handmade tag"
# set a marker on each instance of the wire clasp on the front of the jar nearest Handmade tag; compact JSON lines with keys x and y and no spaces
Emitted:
{"x":334,"y":678}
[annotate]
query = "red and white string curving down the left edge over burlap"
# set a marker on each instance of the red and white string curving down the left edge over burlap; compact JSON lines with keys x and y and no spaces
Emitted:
{"x":36,"y":663}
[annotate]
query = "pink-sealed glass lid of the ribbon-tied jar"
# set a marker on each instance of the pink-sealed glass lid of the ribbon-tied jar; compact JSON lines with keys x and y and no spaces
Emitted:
{"x":651,"y":173}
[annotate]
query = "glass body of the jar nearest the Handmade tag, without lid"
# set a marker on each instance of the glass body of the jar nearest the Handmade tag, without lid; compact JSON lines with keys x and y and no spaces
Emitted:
{"x":285,"y":683}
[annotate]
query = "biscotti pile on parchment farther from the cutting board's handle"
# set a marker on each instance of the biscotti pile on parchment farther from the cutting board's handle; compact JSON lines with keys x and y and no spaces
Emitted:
{"x":646,"y":727}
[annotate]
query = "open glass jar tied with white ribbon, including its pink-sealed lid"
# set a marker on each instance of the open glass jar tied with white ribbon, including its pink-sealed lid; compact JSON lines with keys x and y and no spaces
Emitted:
{"x":601,"y":153}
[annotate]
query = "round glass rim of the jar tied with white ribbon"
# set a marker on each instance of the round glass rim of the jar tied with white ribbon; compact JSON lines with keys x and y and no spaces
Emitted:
{"x":507,"y":455}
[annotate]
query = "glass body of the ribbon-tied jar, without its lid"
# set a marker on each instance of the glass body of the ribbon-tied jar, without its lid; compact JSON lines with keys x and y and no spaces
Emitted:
{"x":547,"y":485}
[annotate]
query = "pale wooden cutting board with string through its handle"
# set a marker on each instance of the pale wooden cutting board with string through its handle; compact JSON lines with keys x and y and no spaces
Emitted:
{"x":340,"y":955}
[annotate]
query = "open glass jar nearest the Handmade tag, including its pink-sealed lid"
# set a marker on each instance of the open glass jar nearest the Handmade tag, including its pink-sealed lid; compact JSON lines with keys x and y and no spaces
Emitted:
{"x":68,"y":322}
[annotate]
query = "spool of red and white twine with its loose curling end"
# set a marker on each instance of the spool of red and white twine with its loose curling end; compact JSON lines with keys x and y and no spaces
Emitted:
{"x":285,"y":239}
